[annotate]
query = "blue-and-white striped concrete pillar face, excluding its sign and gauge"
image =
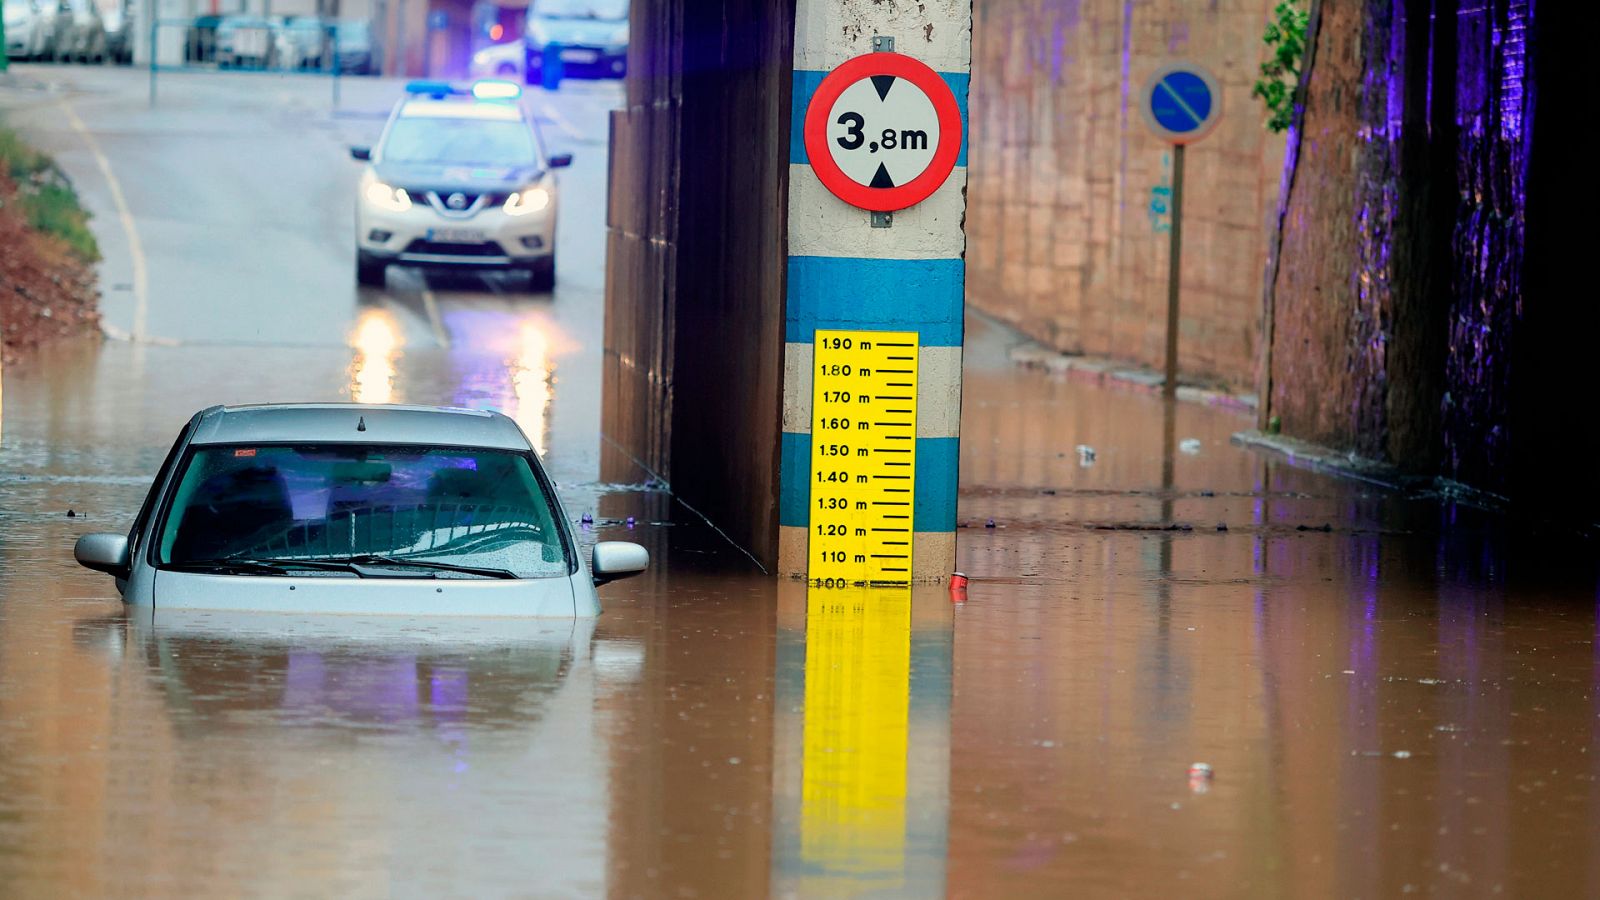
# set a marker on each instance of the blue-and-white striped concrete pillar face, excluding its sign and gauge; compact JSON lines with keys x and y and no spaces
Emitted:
{"x":847,"y":275}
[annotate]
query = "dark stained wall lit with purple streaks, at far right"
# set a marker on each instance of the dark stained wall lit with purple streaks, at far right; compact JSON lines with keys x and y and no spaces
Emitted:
{"x":1418,"y":315}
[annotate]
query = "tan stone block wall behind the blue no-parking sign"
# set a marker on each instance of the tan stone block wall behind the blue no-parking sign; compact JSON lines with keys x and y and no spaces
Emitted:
{"x":1066,"y":217}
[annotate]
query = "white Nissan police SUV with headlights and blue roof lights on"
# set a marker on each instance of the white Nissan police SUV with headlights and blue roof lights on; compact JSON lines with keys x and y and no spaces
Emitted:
{"x":458,"y":180}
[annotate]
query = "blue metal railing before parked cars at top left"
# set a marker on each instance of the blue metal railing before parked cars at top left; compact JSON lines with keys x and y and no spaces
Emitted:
{"x":266,"y":49}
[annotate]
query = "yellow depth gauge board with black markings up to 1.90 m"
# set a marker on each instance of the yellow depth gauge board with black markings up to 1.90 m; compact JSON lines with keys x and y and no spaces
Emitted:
{"x":862,"y":486}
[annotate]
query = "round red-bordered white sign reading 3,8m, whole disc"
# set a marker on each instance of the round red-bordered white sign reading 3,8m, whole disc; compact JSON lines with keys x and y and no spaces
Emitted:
{"x":884,"y":132}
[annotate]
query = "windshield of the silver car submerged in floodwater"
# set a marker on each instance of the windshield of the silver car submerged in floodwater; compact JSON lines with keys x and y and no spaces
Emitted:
{"x":476,"y":508}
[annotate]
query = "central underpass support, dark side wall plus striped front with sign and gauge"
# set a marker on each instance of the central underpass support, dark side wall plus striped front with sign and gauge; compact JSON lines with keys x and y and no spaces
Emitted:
{"x":738,"y":236}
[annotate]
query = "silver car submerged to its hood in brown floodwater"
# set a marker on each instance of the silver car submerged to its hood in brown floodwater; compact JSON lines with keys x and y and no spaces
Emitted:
{"x":356,"y":510}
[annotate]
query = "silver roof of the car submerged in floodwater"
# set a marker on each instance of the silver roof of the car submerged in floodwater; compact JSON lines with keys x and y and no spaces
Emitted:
{"x":359,"y":424}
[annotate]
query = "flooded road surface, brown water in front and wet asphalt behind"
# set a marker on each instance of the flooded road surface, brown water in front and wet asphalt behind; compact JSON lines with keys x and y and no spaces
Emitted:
{"x":1396,"y":694}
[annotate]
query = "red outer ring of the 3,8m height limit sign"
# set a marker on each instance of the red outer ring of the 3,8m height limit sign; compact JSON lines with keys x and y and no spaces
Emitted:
{"x":945,"y":156}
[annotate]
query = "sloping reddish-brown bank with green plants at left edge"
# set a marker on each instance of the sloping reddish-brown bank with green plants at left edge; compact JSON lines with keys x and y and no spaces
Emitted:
{"x":47,"y":254}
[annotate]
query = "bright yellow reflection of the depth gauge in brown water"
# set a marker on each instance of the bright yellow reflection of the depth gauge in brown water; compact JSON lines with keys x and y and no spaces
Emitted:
{"x":857,"y":739}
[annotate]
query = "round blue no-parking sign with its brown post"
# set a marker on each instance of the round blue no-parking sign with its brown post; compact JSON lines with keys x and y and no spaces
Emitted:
{"x":1182,"y":105}
